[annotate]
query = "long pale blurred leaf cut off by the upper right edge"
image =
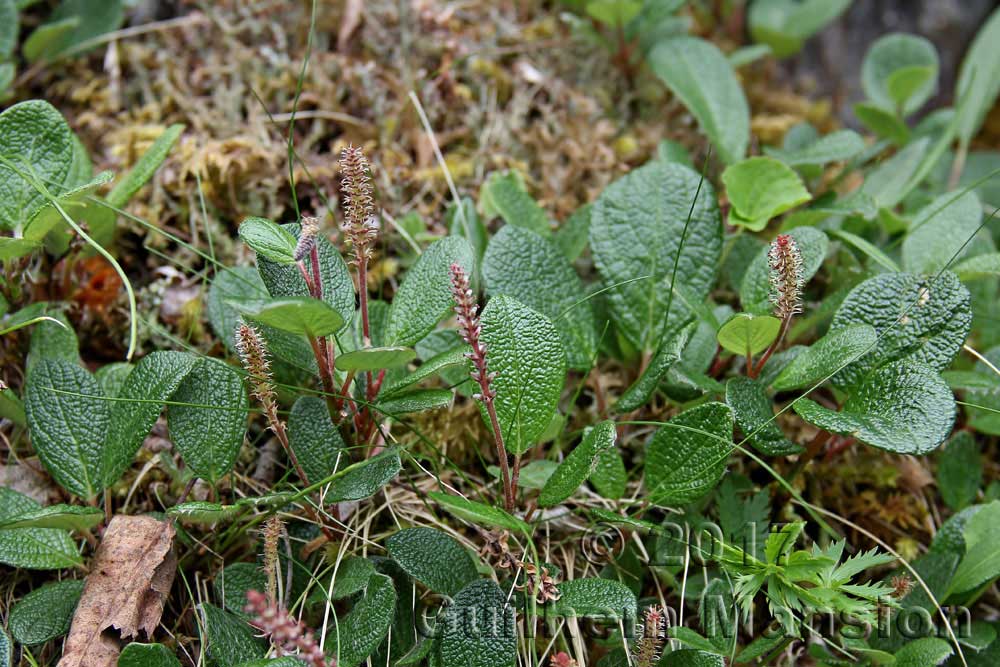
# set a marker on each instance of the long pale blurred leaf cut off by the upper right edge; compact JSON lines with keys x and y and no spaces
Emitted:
{"x":979,"y":79}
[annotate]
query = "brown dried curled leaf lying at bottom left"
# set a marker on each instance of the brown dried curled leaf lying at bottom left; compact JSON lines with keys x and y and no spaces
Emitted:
{"x":126,"y":589}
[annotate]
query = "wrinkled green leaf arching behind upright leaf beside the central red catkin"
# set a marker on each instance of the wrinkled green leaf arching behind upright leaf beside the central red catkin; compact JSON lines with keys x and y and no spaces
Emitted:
{"x":532,"y":269}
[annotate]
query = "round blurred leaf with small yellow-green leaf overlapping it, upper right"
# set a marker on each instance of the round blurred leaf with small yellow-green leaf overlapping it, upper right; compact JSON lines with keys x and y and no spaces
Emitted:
{"x":899,"y":72}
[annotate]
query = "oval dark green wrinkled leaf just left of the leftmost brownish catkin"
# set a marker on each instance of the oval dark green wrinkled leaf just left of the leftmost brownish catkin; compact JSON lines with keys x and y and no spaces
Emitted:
{"x":207,"y":418}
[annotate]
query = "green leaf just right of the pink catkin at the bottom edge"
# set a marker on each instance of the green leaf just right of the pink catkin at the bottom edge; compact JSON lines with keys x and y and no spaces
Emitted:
{"x":357,"y":635}
